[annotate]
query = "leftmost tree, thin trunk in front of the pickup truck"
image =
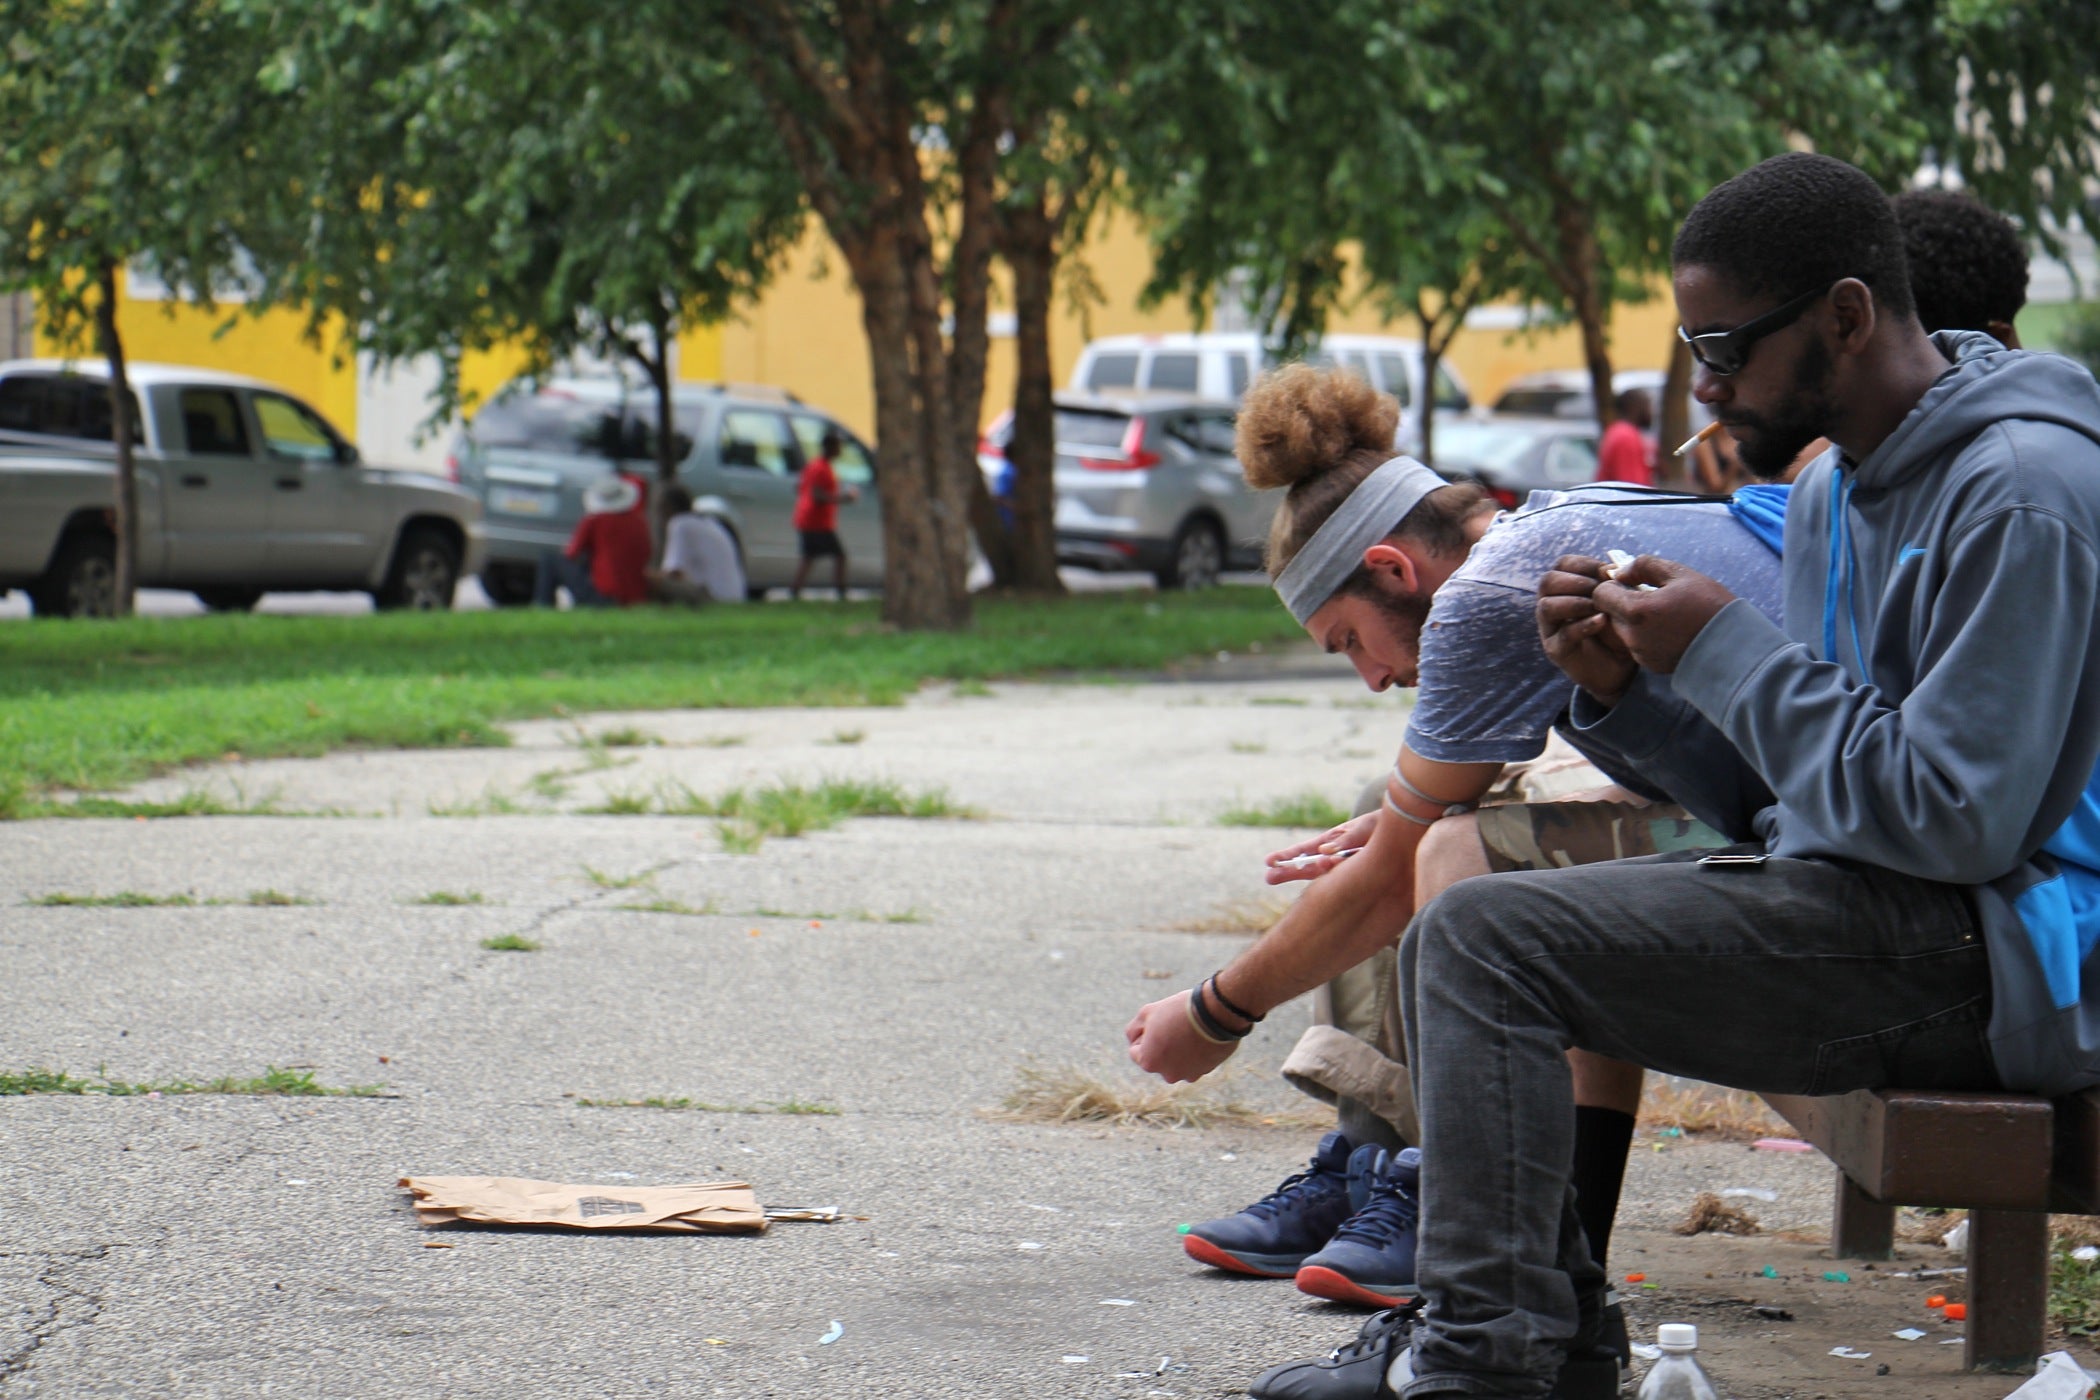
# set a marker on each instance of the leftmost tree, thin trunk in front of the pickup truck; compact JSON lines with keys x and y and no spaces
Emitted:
{"x":135,"y":133}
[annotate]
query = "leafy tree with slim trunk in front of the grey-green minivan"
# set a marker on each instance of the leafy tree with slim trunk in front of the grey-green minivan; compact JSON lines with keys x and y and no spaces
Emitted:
{"x":551,"y":177}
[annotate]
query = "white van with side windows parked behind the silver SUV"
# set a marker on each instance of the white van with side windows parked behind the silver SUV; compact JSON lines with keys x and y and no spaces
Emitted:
{"x":1223,"y":364}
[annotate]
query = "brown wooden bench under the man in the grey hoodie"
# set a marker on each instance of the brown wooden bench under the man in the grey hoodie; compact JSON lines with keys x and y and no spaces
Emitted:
{"x":2009,"y":1160}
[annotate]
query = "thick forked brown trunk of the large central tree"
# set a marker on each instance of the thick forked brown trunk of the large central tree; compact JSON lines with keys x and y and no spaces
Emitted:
{"x":896,"y":121}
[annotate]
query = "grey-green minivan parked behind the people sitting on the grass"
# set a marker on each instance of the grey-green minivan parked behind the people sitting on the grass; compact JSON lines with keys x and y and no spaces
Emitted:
{"x":537,"y":446}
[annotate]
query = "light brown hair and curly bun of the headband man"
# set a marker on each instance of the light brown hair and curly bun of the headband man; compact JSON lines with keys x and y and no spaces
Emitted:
{"x":1320,"y":433}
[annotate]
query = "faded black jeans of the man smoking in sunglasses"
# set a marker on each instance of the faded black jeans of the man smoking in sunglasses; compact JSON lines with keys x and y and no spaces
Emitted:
{"x":1797,"y":977}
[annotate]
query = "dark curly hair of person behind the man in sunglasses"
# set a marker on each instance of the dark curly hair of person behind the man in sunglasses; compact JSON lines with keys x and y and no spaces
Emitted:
{"x":1969,"y":266}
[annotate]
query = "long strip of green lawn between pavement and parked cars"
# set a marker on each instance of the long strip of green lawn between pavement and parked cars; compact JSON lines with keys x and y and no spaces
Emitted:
{"x":91,"y":706}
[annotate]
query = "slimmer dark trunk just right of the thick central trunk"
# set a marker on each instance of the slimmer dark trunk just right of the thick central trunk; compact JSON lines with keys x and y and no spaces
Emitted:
{"x":1032,"y":255}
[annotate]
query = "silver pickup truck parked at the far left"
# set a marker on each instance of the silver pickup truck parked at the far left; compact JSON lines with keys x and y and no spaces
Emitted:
{"x":243,"y":490}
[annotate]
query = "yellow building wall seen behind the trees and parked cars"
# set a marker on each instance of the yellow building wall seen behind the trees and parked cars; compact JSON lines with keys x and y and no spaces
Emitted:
{"x":807,"y":337}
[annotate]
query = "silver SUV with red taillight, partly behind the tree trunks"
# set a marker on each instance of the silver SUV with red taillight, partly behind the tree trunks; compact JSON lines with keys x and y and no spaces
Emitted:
{"x":1150,"y":484}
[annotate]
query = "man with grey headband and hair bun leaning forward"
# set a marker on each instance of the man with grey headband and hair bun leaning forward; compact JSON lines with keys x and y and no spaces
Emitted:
{"x":1419,"y":578}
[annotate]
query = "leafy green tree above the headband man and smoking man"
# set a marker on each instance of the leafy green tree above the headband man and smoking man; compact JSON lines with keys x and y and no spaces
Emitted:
{"x":1557,"y":137}
